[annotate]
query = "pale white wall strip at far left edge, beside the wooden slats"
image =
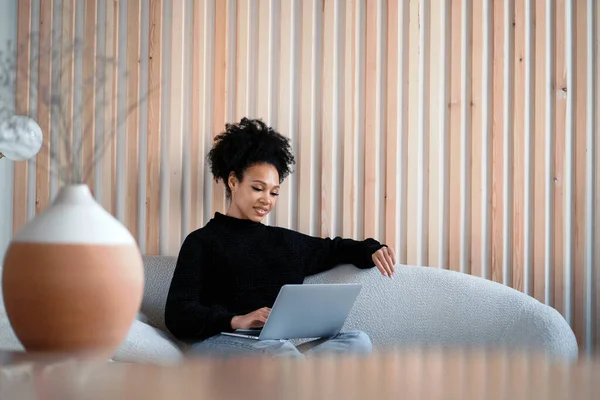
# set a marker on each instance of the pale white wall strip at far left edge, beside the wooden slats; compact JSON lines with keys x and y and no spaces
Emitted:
{"x":8,"y":30}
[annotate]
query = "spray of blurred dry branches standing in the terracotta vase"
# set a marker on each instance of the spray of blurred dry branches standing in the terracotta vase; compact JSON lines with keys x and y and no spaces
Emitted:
{"x":58,"y":98}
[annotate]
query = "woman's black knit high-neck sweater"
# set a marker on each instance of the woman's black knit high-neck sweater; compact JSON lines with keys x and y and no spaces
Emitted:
{"x":232,"y":267}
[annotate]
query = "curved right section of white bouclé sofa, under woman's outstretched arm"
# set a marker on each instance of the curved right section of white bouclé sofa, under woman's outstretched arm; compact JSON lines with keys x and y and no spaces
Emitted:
{"x":431,"y":307}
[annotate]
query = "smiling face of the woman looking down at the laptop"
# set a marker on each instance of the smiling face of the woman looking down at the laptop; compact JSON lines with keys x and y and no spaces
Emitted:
{"x":256,"y":194}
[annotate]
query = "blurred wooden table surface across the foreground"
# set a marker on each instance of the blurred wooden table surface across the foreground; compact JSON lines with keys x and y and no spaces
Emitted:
{"x":415,"y":374}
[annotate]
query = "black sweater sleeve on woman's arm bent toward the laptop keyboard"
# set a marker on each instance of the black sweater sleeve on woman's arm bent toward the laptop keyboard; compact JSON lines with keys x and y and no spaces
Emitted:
{"x":186,"y":317}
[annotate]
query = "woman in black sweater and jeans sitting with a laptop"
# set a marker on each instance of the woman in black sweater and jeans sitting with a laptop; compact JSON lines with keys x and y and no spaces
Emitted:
{"x":229,"y":272}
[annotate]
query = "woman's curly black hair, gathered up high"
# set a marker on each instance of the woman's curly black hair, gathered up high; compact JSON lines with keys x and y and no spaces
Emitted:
{"x":247,"y":143}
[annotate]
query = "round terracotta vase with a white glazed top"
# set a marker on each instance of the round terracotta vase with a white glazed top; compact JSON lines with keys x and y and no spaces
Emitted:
{"x":73,"y":278}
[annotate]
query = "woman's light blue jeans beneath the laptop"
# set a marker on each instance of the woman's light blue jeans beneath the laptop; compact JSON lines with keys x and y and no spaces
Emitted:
{"x":351,"y":342}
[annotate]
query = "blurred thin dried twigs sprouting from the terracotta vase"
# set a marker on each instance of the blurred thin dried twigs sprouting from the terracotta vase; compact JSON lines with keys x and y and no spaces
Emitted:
{"x":62,"y":55}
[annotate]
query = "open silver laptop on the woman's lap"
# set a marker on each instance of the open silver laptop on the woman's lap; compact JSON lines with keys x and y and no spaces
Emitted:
{"x":306,"y":311}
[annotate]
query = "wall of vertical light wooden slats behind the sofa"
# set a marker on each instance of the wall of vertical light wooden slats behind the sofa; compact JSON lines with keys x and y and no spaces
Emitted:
{"x":464,"y":134}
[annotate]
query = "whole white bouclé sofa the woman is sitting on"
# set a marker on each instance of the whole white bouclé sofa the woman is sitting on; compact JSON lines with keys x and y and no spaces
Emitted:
{"x":421,"y":307}
